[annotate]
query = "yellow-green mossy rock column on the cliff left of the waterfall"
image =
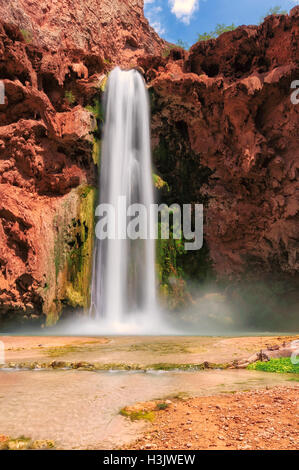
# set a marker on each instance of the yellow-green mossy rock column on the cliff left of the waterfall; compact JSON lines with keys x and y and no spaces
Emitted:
{"x":70,"y":268}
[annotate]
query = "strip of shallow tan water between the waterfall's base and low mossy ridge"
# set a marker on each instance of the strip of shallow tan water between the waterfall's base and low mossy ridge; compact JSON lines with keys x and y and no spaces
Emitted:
{"x":141,"y":350}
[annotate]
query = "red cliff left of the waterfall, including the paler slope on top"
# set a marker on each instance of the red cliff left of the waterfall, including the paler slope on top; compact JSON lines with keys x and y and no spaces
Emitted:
{"x":54,"y":58}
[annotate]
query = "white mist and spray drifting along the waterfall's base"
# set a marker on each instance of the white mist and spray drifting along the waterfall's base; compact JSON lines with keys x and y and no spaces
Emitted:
{"x":248,"y":309}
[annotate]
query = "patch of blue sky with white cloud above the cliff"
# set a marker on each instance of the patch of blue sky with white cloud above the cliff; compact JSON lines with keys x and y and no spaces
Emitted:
{"x":185,"y":19}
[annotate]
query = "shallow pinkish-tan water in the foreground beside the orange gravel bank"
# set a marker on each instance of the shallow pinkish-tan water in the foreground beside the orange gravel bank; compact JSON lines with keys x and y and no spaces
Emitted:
{"x":79,"y":410}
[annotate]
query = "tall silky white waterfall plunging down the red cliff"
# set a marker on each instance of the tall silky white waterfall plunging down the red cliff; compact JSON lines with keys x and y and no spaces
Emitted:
{"x":123,"y":281}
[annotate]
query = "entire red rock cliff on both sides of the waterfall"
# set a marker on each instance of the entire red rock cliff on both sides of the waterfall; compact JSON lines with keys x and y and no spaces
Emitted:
{"x":224,"y":133}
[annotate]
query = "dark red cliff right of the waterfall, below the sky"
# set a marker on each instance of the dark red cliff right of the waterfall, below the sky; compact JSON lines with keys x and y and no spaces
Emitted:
{"x":225,"y":133}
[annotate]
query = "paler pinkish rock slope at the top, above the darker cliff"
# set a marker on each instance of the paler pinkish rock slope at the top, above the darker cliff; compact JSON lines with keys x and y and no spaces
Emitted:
{"x":112,"y":31}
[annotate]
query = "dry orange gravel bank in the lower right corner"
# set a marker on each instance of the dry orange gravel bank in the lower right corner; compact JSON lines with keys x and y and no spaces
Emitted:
{"x":263,"y":419}
